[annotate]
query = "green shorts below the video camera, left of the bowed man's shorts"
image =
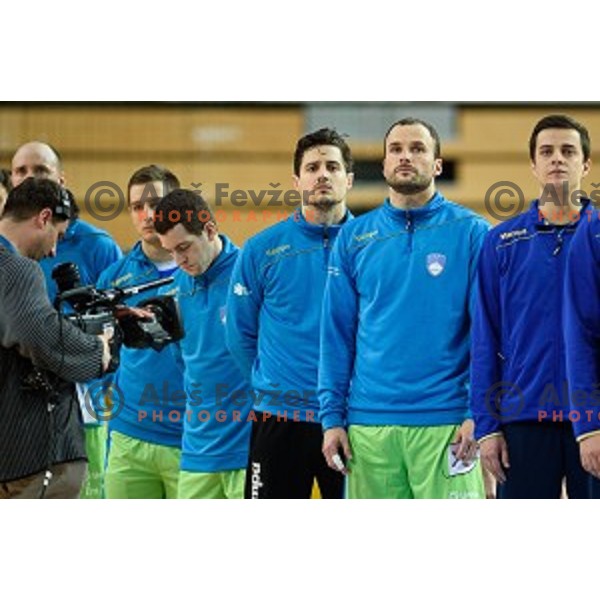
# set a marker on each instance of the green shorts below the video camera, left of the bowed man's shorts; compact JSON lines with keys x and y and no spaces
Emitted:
{"x":138,"y":470}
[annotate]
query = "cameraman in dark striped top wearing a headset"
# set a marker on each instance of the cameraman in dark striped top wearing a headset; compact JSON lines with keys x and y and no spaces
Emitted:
{"x":41,"y":441}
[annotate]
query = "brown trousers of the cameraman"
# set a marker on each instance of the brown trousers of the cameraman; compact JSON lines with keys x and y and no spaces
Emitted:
{"x":66,"y":482}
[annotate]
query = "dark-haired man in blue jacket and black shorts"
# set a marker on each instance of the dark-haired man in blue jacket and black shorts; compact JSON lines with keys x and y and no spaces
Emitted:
{"x":273,"y":327}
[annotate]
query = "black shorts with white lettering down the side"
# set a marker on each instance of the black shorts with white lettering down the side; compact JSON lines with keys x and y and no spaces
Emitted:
{"x":285,"y":460}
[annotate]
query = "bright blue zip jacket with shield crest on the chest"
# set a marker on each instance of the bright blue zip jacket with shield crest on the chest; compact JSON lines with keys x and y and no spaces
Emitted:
{"x":395,"y":341}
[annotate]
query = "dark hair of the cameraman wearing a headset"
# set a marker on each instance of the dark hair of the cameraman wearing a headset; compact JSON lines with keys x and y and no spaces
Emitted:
{"x":32,"y":196}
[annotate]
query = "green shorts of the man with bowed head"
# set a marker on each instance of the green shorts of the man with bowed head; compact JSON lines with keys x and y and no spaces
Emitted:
{"x":228,"y":485}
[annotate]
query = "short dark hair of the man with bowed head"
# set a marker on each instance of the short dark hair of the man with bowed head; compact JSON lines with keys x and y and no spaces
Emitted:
{"x":183,"y":207}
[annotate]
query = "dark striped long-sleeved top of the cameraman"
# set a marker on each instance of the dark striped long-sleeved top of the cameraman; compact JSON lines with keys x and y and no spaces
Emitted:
{"x":38,"y":428}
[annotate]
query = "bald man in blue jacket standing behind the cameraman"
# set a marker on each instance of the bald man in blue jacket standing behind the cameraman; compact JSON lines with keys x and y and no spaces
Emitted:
{"x":92,"y":250}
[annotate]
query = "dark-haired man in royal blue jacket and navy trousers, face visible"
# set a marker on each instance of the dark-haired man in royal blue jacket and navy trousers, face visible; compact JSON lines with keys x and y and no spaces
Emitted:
{"x":520,"y":394}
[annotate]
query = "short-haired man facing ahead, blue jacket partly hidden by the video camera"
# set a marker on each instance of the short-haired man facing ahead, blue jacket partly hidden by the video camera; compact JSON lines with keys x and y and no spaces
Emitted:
{"x":149,"y":402}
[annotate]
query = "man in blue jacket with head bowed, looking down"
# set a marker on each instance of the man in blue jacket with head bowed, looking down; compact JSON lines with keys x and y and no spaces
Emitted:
{"x":218,"y":417}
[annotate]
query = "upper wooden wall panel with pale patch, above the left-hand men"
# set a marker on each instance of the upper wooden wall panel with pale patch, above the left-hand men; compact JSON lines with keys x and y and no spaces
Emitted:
{"x":120,"y":130}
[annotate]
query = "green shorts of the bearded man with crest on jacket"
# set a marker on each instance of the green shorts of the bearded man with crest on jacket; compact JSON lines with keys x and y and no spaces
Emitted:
{"x":408,"y":463}
